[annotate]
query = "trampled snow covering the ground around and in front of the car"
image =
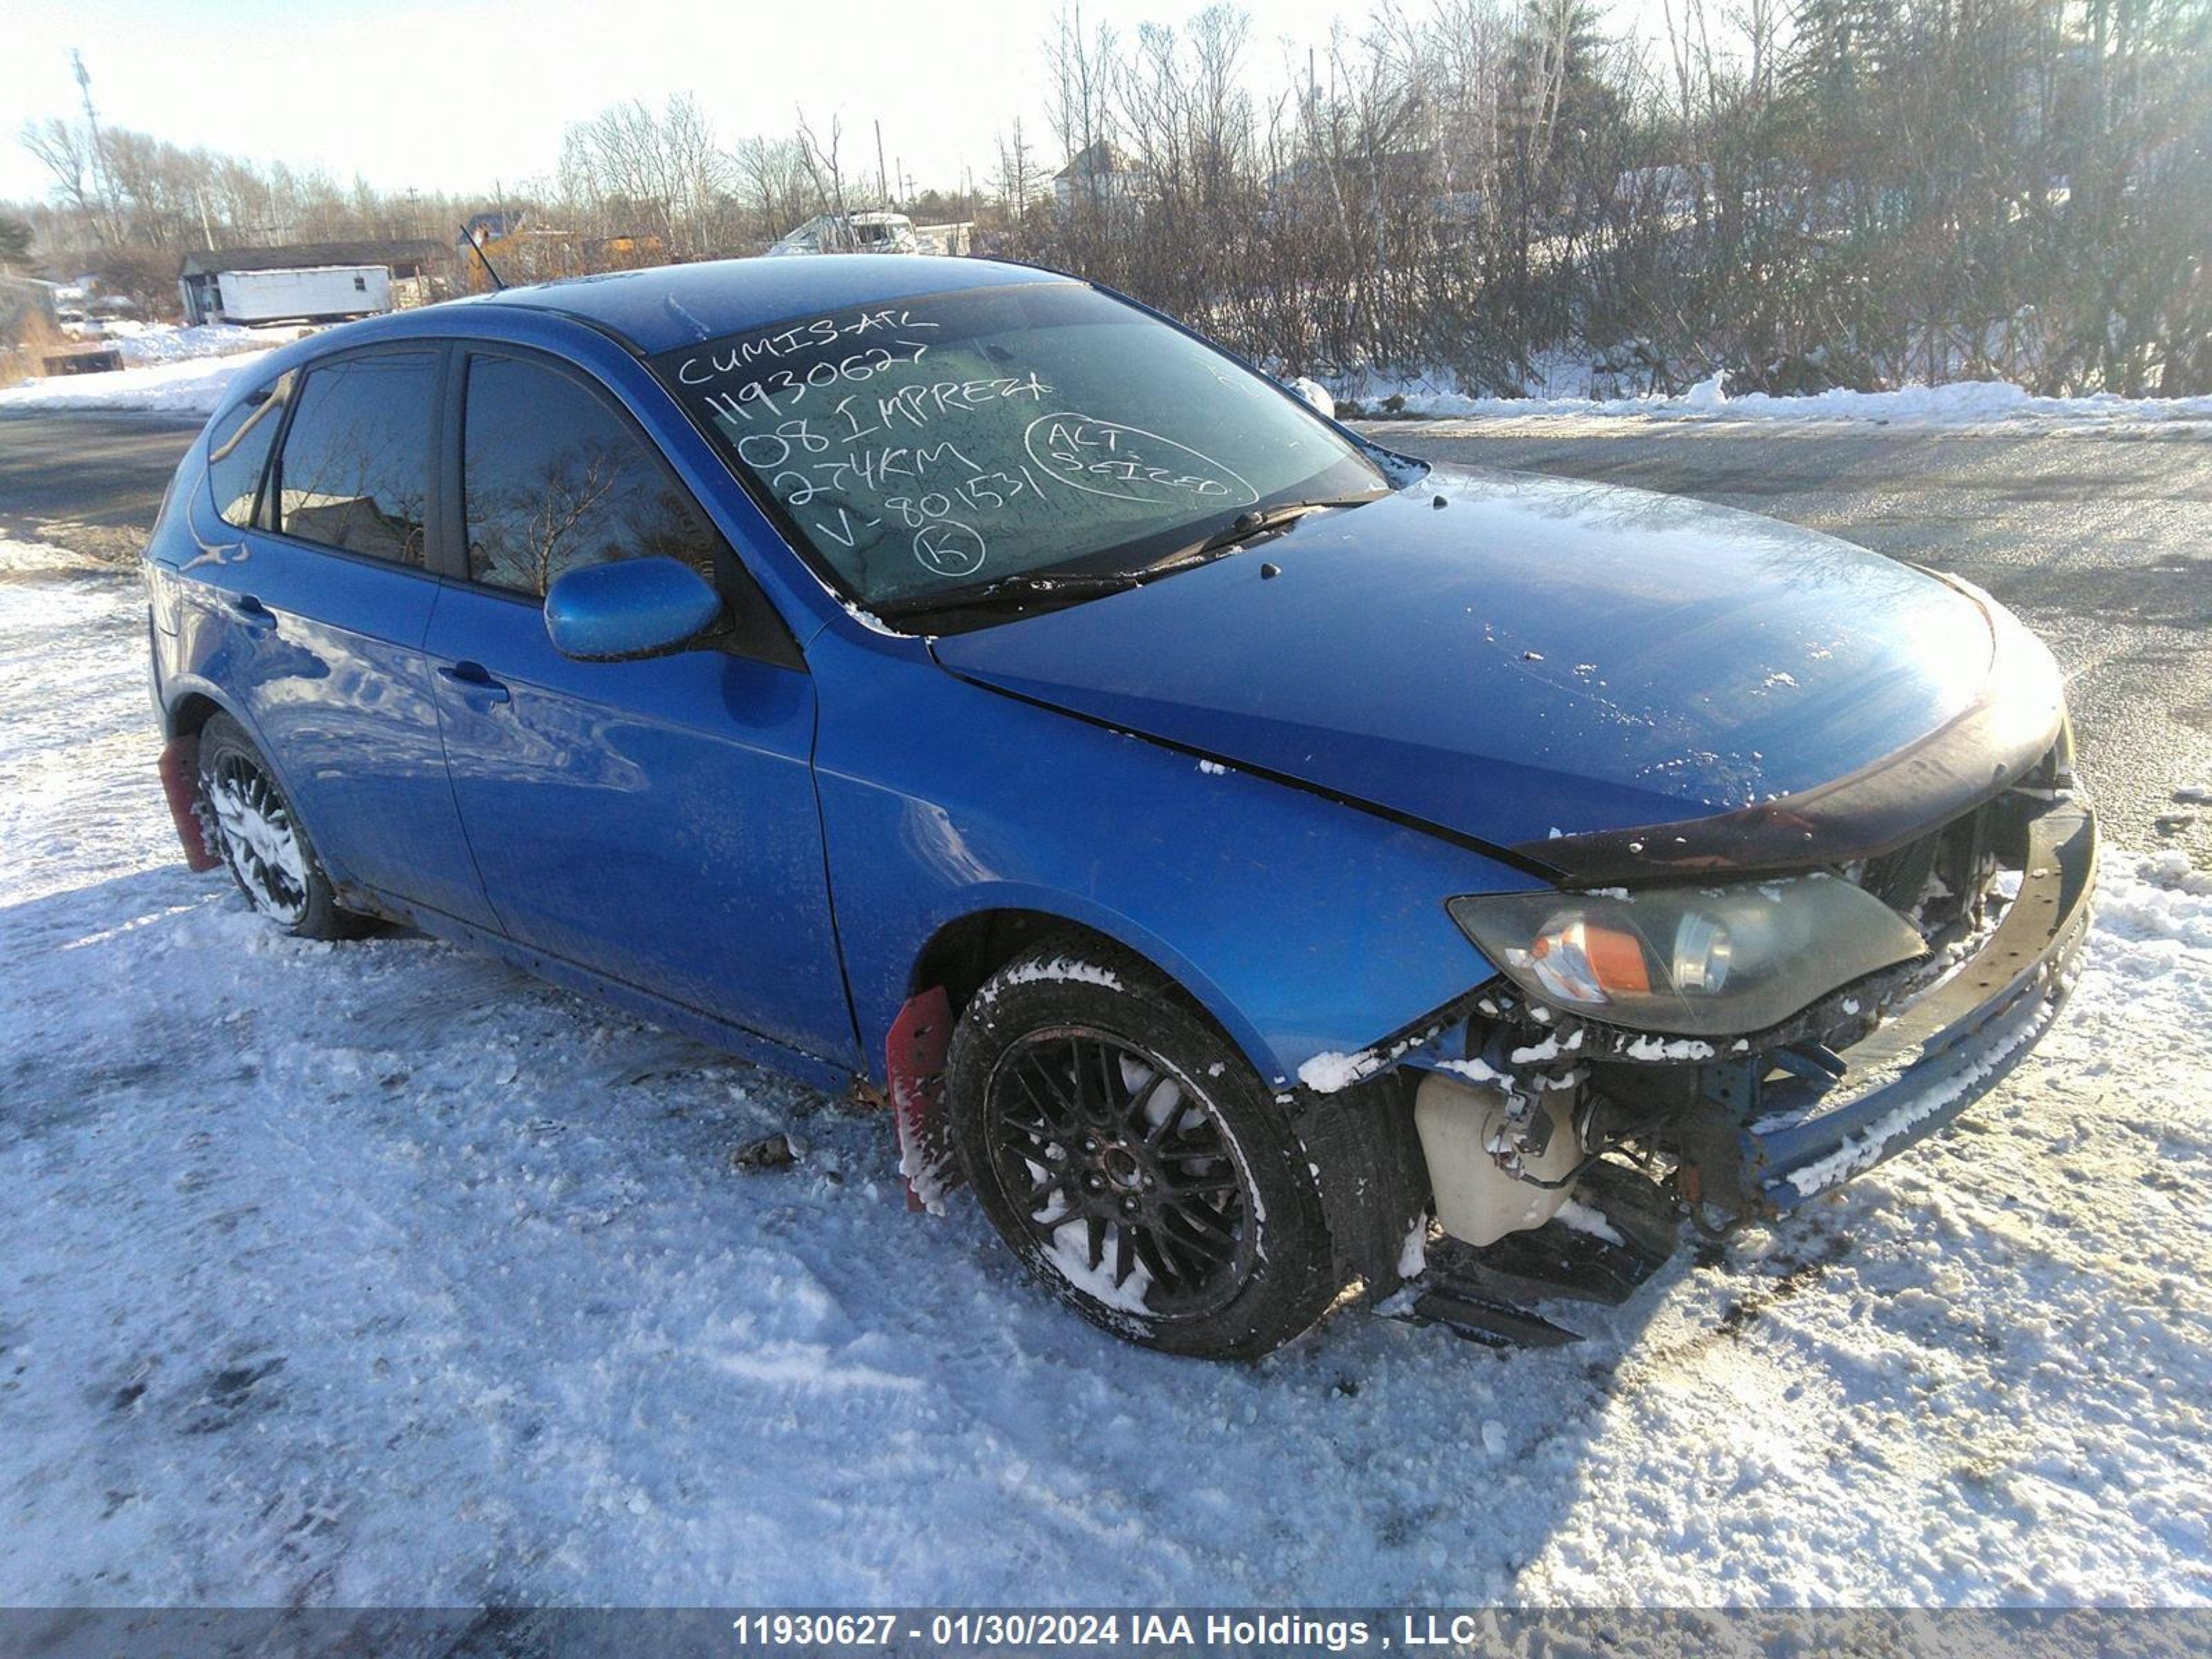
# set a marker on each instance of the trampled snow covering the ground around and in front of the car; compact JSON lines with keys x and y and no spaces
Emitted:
{"x":384,"y":1275}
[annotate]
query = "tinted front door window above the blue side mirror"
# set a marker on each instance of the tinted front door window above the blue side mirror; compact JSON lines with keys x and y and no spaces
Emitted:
{"x":554,"y":481}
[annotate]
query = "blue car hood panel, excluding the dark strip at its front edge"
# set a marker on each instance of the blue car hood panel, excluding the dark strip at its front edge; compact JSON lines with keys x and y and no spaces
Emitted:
{"x":1514,"y":658}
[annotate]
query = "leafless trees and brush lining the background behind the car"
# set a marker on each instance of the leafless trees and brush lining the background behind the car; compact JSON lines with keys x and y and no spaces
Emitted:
{"x":1802,"y":194}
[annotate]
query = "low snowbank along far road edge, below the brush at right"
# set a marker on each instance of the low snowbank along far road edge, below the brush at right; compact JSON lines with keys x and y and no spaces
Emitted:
{"x":1961,"y":404}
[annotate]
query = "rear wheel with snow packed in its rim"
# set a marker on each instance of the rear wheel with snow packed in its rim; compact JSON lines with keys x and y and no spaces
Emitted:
{"x":262,"y":837}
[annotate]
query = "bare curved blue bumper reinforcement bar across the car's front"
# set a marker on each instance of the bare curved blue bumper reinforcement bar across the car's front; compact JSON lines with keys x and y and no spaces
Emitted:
{"x":1811,"y":1127}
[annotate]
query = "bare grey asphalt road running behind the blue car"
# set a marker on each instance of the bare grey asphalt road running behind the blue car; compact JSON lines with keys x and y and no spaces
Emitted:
{"x":2103,"y":541}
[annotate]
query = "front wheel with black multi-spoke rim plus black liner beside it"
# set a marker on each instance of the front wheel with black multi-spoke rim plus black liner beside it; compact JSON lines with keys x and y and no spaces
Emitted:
{"x":1140,"y":1169}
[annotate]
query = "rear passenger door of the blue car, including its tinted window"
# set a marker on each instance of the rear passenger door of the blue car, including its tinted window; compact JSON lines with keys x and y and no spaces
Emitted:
{"x":315,"y":576}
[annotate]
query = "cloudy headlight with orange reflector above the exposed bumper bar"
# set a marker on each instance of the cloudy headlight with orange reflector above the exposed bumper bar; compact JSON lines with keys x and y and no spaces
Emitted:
{"x":1691,"y":961}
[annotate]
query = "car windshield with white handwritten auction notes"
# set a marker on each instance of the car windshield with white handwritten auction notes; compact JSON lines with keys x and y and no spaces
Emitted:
{"x":988,"y":439}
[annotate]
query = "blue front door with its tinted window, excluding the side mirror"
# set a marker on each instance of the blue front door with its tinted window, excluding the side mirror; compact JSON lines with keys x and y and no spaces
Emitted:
{"x":654,"y":822}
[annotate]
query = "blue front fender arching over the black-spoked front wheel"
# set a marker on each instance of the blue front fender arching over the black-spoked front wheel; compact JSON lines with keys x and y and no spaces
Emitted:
{"x":1304,"y":926}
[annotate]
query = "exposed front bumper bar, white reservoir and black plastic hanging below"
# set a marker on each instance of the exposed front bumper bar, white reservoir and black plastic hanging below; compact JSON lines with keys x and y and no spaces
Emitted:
{"x":1753,"y":1131}
